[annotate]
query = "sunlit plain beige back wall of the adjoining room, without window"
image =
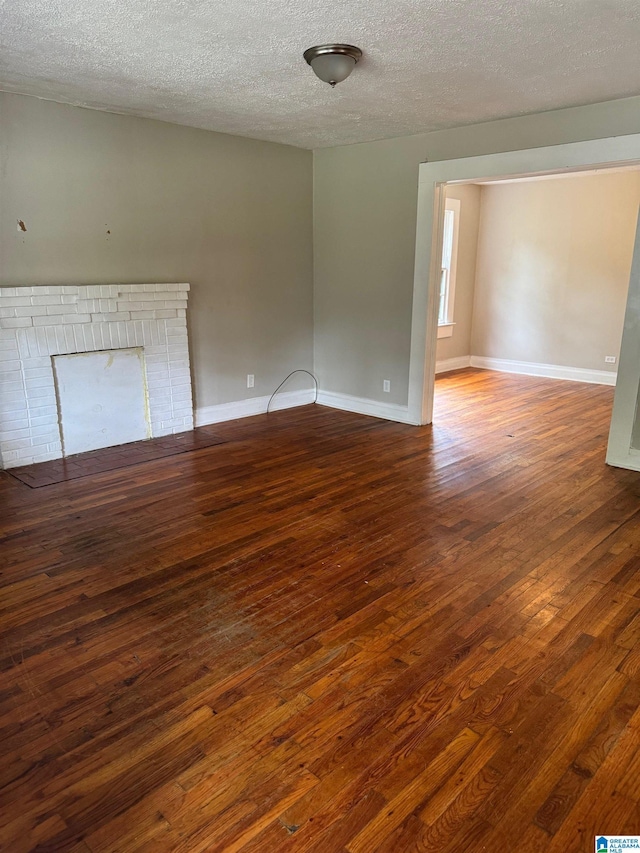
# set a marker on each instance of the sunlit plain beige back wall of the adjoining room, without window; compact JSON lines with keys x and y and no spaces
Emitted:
{"x":554,"y":258}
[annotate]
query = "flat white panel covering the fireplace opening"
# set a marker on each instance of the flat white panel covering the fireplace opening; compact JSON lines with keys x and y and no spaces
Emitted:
{"x":102,"y":399}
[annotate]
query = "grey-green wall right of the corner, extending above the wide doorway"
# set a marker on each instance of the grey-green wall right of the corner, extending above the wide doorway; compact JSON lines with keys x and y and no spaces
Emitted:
{"x":365,"y":202}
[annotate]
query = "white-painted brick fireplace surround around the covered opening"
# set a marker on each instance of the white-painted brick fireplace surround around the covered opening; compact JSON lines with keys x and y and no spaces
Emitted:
{"x":41,"y":322}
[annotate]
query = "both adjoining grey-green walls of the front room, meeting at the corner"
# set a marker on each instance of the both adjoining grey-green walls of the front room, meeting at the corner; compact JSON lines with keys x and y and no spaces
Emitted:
{"x":233,"y":217}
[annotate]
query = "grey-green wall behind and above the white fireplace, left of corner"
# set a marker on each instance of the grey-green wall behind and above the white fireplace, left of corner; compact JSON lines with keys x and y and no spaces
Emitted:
{"x":232,"y":216}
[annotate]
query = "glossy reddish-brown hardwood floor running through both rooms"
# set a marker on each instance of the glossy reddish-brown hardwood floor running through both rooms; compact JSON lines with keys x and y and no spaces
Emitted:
{"x":331,"y":634}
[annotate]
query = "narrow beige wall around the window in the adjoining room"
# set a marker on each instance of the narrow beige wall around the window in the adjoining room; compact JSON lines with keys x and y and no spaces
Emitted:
{"x":459,"y":344}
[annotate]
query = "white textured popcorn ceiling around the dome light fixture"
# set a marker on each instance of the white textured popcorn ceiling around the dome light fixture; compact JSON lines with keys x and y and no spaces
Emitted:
{"x":236,"y":66}
